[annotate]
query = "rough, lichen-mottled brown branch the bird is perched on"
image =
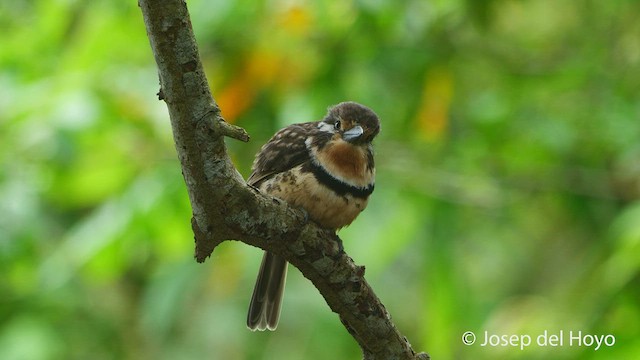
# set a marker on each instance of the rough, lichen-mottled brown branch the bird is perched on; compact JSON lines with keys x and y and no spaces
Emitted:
{"x":225,"y":207}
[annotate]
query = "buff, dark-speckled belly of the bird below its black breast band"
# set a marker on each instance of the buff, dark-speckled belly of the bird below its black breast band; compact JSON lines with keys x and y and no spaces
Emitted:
{"x":324,"y":206}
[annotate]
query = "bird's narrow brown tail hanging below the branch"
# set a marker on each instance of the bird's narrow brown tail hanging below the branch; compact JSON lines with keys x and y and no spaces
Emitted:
{"x":264,"y":309}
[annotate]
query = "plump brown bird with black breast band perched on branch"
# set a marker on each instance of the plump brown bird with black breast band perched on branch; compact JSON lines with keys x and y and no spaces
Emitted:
{"x":324,"y":167}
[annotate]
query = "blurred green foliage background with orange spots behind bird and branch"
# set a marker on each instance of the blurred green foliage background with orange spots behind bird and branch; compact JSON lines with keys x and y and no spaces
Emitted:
{"x":508,"y":183}
